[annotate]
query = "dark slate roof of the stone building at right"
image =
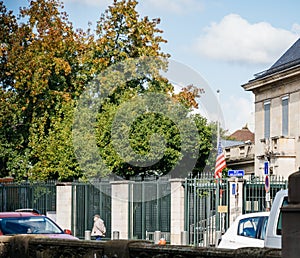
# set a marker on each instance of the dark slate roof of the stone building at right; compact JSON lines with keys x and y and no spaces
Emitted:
{"x":289,"y":59}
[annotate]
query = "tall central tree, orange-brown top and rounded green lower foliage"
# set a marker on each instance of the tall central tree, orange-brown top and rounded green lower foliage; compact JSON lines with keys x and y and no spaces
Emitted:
{"x":125,"y":44}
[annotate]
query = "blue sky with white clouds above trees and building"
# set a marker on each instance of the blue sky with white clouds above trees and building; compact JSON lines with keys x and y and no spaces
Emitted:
{"x":226,"y":42}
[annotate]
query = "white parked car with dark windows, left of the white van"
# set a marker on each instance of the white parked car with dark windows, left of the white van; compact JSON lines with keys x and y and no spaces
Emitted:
{"x":248,"y":230}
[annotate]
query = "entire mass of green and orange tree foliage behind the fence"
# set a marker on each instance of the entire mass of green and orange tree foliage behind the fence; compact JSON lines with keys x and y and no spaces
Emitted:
{"x":46,"y":68}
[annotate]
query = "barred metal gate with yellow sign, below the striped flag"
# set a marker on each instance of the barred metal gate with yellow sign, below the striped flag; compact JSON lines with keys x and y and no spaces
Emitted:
{"x":206,"y":206}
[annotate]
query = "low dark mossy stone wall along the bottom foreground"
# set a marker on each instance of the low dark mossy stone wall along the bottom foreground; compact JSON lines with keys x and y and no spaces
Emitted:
{"x":29,"y":246}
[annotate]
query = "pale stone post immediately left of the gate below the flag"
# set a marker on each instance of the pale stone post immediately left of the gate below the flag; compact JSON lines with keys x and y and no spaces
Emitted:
{"x":177,"y":210}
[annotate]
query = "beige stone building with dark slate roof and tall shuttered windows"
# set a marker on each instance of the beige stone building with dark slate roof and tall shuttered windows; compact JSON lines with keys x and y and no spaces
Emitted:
{"x":277,"y":114}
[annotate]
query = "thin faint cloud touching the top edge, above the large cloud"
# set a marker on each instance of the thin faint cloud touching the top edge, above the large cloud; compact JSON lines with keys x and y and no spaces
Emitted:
{"x":180,"y":7}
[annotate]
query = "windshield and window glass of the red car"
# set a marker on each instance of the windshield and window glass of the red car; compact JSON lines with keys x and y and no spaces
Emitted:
{"x":28,"y":225}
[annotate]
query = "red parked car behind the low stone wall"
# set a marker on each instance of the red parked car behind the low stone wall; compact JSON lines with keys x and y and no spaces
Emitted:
{"x":20,"y":222}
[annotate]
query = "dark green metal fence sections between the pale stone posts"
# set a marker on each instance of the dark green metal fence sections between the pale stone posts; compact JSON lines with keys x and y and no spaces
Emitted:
{"x":149,"y":205}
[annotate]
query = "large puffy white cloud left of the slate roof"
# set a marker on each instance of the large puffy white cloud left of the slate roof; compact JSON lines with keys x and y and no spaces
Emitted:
{"x":234,"y":39}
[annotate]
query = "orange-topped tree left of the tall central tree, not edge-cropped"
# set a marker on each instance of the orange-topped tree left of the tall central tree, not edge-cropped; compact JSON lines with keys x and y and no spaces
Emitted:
{"x":46,"y":81}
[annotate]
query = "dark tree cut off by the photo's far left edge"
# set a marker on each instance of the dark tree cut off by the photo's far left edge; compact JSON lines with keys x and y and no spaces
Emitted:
{"x":10,"y":137}
